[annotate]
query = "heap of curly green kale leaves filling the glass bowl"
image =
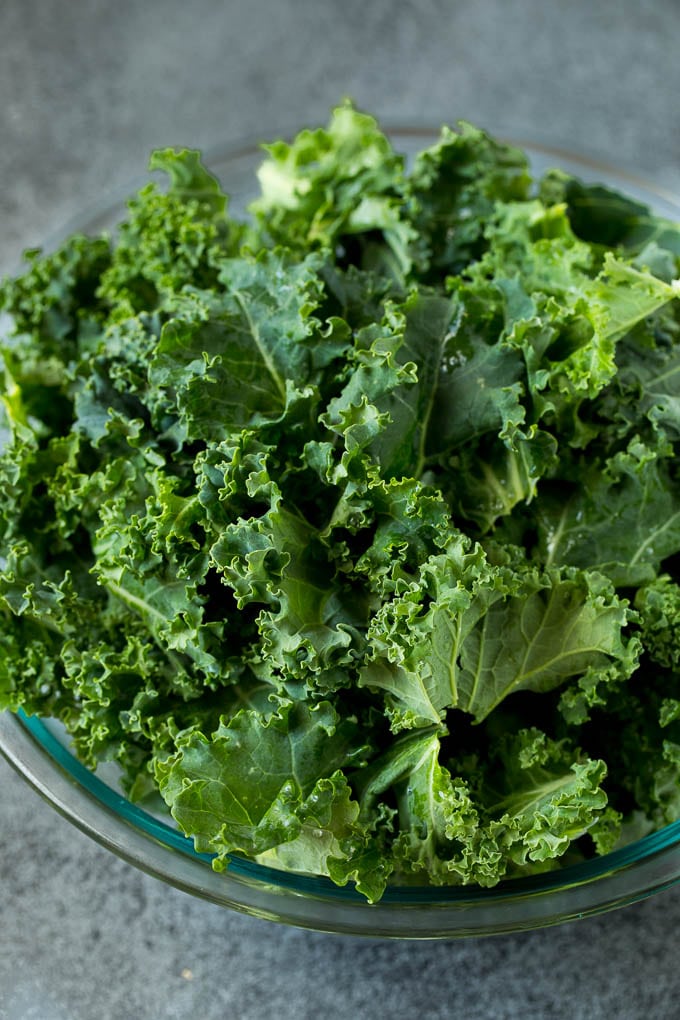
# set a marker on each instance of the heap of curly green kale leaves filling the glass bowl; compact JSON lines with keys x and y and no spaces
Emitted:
{"x":354,"y":530}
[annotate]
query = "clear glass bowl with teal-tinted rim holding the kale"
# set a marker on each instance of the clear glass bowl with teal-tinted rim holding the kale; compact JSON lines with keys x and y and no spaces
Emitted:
{"x":39,"y":751}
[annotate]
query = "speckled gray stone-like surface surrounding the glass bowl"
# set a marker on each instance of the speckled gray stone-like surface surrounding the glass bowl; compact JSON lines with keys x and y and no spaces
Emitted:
{"x":87,"y":89}
